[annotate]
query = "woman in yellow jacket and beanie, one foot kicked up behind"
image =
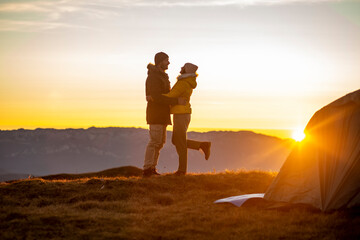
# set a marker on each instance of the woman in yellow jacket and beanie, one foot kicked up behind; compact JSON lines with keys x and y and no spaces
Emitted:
{"x":183,"y":88}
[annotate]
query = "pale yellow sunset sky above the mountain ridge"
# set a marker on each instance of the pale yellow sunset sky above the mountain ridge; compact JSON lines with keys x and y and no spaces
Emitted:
{"x":262,"y":64}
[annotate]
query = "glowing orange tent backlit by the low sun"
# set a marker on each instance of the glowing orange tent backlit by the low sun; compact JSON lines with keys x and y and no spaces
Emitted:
{"x":324,"y":169}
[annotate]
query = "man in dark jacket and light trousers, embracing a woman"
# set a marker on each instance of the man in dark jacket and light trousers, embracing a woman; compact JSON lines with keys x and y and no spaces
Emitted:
{"x":157,"y":110}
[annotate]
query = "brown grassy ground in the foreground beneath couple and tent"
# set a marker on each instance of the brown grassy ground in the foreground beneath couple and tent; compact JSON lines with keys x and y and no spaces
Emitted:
{"x":165,"y":207}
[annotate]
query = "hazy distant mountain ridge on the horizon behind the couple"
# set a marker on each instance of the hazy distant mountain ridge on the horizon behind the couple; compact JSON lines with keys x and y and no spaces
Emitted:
{"x":49,"y":151}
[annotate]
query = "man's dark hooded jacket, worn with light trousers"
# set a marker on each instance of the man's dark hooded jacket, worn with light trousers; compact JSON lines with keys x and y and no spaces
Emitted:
{"x":157,"y":83}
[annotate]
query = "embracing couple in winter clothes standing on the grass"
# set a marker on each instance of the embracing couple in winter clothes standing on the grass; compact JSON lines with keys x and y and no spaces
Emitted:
{"x":162,"y":100}
